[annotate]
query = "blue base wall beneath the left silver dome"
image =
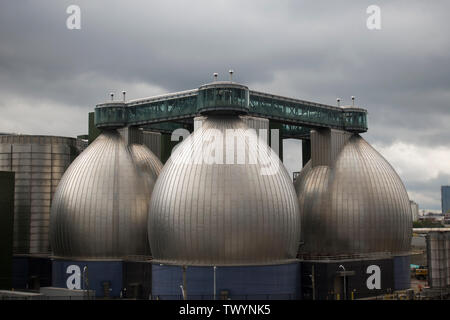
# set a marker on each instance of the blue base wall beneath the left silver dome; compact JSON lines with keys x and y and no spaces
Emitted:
{"x":98,"y":272}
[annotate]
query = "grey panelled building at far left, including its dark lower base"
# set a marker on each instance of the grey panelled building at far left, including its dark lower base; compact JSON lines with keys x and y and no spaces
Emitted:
{"x":38,"y":163}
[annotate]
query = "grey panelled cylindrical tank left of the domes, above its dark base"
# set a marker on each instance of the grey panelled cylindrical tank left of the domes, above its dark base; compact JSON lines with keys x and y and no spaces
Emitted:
{"x":39,"y":163}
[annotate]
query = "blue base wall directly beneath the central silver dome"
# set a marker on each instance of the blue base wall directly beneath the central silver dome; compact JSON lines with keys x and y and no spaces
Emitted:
{"x":243,"y":282}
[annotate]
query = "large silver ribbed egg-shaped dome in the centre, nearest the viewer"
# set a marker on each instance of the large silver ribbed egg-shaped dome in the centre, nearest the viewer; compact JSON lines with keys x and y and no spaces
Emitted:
{"x":223,"y":214}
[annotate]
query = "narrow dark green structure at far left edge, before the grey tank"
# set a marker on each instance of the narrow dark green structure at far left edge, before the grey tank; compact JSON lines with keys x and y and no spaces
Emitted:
{"x":6,"y":227}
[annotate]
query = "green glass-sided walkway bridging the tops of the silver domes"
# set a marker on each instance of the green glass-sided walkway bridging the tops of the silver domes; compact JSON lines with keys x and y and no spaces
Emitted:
{"x":293,"y":117}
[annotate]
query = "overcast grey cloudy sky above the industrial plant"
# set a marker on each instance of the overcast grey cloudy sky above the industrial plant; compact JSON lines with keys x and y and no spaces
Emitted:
{"x":51,"y":77}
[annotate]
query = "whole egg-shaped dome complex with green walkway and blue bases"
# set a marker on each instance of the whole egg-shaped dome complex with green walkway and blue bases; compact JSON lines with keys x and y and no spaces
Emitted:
{"x":131,"y":218}
